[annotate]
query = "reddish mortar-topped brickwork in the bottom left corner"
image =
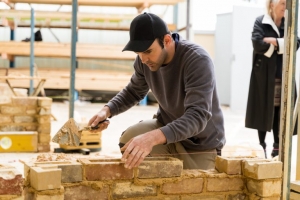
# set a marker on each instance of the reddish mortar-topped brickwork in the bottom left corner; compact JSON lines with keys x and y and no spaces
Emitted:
{"x":11,"y":183}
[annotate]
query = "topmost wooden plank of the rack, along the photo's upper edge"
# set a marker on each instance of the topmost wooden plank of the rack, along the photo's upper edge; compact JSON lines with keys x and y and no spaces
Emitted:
{"x":117,"y":3}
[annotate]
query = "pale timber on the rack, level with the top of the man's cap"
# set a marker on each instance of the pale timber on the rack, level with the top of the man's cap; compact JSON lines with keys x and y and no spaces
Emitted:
{"x":98,"y":21}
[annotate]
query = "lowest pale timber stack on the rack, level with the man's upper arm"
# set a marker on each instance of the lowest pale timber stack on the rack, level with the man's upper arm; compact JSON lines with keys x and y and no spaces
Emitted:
{"x":86,"y":79}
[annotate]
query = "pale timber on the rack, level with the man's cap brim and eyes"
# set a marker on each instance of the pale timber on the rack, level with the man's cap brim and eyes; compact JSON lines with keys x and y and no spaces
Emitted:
{"x":63,"y":50}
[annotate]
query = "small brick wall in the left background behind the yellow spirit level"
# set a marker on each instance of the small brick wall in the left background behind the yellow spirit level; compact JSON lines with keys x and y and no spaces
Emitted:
{"x":28,"y":114}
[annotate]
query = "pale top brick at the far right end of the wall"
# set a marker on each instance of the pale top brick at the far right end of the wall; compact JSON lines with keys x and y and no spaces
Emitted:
{"x":261,"y":169}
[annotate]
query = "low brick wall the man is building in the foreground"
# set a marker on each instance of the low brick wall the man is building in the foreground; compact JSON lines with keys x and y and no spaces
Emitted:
{"x":159,"y":178}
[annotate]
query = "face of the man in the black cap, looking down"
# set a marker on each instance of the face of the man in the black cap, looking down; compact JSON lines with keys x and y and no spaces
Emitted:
{"x":154,"y":56}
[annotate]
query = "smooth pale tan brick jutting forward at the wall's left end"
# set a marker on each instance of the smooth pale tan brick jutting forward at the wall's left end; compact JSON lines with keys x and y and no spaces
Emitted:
{"x":43,"y":178}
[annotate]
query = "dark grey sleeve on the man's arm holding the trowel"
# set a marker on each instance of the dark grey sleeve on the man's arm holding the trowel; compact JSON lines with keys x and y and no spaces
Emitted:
{"x":132,"y":94}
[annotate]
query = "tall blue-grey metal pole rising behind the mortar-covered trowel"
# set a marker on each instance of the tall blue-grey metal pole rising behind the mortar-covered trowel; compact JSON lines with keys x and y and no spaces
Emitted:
{"x":73,"y":59}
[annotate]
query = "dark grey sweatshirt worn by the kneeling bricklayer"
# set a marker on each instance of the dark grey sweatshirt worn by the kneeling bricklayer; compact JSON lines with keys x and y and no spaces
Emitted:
{"x":185,"y":90}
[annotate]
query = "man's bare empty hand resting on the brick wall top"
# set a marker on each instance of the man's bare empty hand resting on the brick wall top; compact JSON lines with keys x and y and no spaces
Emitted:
{"x":136,"y":149}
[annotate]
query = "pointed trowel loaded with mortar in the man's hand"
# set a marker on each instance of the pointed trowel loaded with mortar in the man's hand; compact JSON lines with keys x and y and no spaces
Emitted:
{"x":70,"y":133}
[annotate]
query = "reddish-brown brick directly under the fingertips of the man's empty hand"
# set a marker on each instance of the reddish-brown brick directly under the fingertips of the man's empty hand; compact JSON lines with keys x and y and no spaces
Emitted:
{"x":105,"y":169}
